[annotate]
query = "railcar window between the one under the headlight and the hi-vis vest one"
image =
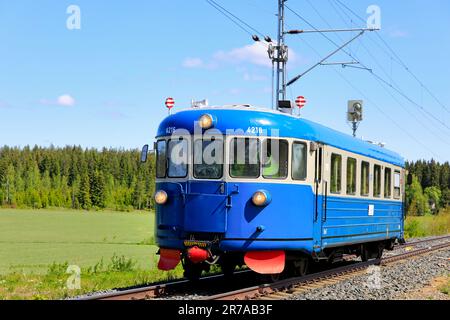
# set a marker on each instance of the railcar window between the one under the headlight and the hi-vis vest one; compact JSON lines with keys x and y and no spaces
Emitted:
{"x":244,"y":158}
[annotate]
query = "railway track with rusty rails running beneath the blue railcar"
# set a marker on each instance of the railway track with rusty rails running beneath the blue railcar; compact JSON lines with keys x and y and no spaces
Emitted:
{"x":270,"y":291}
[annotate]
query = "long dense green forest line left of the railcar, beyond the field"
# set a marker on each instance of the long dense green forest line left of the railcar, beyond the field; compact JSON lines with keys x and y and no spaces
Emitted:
{"x":73,"y":177}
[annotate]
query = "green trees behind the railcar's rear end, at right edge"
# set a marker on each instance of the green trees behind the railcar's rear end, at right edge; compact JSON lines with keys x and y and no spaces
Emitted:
{"x":429,"y":187}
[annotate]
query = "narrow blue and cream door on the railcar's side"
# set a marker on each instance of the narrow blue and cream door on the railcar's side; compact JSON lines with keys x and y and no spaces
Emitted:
{"x":320,"y":195}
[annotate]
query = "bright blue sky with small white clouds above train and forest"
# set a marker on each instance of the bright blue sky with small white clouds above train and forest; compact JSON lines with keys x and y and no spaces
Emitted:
{"x":105,"y":84}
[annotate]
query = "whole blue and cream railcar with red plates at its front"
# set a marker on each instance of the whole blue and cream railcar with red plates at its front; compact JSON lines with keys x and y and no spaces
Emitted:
{"x":239,"y":184}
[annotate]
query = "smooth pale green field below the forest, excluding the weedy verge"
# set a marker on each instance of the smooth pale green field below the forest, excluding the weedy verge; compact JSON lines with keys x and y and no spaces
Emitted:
{"x":32,"y":240}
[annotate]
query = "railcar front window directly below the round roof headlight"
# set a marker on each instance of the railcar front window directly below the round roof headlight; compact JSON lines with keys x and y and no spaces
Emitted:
{"x":208,"y":158}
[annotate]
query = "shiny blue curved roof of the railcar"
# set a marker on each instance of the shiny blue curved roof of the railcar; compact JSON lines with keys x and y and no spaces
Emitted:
{"x":245,"y":117}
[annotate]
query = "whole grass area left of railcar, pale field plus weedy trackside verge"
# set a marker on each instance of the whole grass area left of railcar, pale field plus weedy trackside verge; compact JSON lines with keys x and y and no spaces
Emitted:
{"x":112,"y":249}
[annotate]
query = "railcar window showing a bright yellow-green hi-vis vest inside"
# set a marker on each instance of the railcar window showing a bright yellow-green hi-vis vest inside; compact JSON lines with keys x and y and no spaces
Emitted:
{"x":275,"y":159}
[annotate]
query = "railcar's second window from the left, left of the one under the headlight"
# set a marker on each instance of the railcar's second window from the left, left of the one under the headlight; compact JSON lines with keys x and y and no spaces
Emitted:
{"x":177,"y":157}
